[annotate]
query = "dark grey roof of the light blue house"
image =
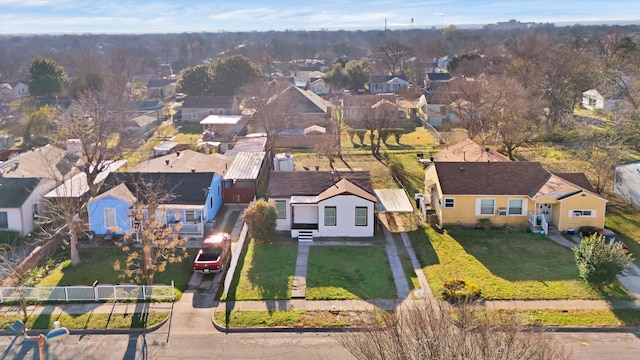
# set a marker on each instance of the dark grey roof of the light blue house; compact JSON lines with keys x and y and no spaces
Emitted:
{"x":187,"y":188}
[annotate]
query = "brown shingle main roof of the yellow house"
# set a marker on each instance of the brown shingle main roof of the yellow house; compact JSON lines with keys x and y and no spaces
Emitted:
{"x":490,"y":178}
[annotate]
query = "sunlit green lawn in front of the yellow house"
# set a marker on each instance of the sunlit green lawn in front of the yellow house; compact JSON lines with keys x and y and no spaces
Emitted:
{"x":504,"y":265}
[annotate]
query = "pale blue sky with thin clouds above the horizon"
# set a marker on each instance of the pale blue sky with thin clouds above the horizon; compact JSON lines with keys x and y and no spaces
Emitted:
{"x":178,"y":16}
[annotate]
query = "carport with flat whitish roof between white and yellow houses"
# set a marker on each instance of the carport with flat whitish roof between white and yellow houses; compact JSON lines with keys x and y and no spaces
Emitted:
{"x":395,"y":211}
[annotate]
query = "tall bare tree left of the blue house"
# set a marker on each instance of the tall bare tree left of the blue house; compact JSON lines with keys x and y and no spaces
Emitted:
{"x":97,"y":123}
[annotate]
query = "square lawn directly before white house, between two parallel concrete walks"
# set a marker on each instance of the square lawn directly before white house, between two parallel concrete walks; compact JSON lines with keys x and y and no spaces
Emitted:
{"x":349,"y":272}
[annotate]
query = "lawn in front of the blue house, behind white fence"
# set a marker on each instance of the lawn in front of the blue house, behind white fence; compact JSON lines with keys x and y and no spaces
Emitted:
{"x":97,"y":264}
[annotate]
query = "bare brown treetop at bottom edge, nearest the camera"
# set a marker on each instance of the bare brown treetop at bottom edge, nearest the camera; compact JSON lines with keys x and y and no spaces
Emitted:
{"x":429,"y":330}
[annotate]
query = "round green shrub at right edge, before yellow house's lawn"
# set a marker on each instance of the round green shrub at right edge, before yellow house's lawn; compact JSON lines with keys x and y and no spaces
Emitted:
{"x":599,"y":262}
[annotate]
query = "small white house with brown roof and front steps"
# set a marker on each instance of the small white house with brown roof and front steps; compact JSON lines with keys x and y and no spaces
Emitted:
{"x":323,"y":203}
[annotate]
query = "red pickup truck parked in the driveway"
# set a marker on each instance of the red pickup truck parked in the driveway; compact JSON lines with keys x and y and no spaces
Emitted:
{"x":214,"y":254}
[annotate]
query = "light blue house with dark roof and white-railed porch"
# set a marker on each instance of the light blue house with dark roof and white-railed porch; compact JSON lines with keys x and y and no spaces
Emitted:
{"x":195,"y":198}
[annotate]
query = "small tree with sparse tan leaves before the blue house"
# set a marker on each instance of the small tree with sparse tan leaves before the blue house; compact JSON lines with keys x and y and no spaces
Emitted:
{"x":150,"y":245}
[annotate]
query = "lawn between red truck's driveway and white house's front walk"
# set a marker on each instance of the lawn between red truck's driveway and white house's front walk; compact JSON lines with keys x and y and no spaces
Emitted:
{"x":265,"y":271}
